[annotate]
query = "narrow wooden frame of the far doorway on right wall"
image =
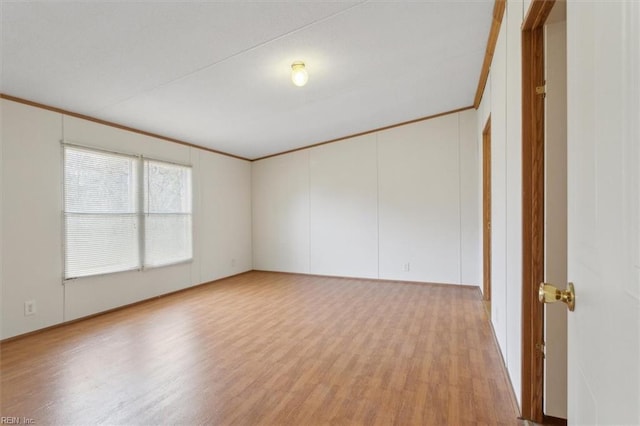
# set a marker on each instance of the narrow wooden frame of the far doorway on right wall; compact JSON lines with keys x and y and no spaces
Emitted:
{"x":486,"y":211}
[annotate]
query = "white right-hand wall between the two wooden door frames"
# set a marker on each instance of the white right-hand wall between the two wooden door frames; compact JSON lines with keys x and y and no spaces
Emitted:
{"x":502,"y":100}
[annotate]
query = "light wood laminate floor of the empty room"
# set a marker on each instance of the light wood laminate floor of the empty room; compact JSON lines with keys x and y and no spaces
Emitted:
{"x":267,"y":348}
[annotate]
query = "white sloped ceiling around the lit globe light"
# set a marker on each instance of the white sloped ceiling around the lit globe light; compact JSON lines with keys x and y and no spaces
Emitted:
{"x":216,"y":74}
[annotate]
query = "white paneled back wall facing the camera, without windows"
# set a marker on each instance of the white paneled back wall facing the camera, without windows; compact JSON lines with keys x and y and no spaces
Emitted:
{"x":367,"y":206}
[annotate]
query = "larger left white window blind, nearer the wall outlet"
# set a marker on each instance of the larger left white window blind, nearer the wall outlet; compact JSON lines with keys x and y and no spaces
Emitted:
{"x":100,"y":212}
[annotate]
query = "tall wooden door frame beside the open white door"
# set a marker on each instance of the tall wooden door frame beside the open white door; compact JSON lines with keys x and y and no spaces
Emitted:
{"x":533,"y":209}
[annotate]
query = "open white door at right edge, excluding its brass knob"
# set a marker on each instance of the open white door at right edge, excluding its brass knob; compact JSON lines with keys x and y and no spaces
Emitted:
{"x":603,"y":116}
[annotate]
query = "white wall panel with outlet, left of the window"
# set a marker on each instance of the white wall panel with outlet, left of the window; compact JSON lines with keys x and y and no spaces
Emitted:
{"x":31,"y":218}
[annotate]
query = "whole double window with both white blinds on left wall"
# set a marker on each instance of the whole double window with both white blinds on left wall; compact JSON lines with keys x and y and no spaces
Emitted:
{"x":117,"y":218}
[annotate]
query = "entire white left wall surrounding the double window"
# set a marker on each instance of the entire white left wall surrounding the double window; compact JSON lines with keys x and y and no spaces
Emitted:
{"x":32,"y":231}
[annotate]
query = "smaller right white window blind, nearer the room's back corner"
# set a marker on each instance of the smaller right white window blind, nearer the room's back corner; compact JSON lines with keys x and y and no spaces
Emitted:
{"x":167,"y":209}
